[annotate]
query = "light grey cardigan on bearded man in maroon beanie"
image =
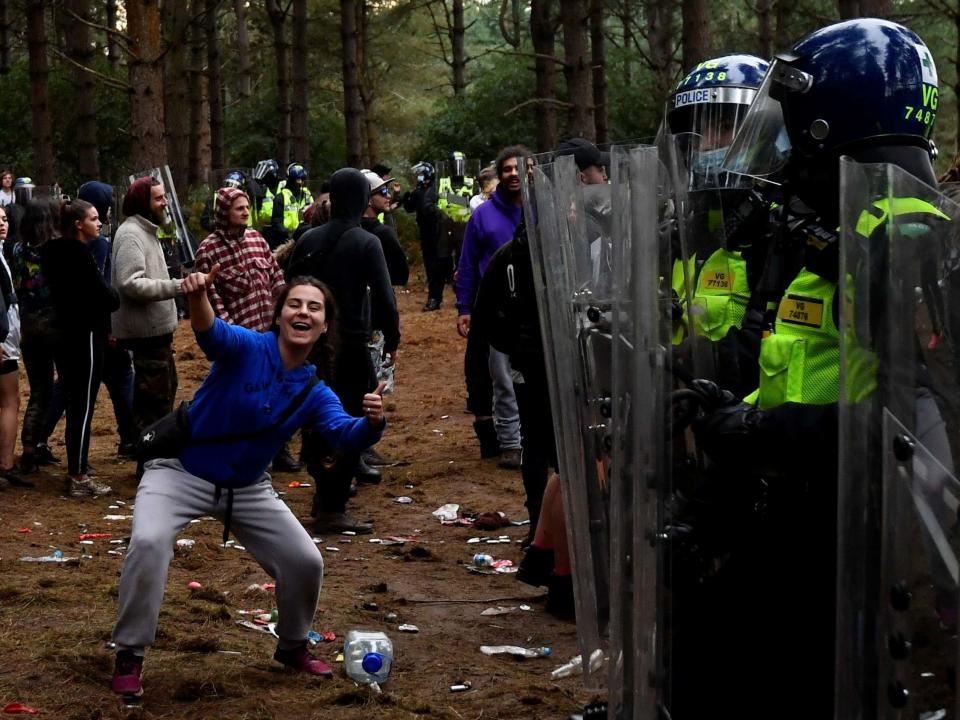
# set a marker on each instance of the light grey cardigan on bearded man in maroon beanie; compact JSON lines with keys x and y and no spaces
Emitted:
{"x":140,"y":276}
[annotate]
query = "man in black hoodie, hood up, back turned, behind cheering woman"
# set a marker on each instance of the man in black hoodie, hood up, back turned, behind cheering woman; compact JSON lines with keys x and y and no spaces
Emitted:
{"x":350,"y":261}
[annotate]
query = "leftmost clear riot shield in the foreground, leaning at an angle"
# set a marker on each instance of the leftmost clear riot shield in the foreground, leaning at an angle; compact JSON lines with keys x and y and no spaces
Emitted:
{"x":573,"y":283}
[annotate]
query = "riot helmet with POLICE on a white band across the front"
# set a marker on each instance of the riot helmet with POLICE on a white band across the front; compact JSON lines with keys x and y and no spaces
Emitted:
{"x":705,"y":111}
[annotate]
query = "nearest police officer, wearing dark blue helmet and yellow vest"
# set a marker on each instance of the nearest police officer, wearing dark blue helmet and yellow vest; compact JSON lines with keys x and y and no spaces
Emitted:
{"x":782,"y":439}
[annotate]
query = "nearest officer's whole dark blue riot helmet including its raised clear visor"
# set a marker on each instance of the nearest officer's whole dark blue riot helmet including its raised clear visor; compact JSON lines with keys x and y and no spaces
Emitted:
{"x":803,"y":118}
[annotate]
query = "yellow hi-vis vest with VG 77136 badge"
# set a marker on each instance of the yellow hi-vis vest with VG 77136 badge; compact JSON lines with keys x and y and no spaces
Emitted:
{"x":720,"y":295}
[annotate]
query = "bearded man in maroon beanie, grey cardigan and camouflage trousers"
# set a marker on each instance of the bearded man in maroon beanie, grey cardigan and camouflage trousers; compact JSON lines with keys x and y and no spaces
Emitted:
{"x":147,"y":317}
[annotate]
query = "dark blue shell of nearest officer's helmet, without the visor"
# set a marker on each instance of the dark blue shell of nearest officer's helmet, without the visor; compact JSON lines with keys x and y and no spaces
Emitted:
{"x":863,"y":79}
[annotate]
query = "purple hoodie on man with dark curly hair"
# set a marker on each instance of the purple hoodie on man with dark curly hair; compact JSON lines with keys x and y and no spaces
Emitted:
{"x":490,"y":226}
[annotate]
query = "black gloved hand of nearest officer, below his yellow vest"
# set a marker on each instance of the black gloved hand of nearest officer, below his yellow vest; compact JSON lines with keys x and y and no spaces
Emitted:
{"x":732,"y":433}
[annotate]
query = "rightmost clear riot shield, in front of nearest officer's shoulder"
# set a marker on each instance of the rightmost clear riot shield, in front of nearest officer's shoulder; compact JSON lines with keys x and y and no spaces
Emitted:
{"x":899,"y":430}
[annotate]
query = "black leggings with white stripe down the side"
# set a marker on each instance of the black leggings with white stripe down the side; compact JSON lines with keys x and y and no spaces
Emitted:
{"x":79,"y":358}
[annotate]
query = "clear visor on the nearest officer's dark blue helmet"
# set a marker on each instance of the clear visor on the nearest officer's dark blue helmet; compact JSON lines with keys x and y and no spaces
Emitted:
{"x":761,"y":147}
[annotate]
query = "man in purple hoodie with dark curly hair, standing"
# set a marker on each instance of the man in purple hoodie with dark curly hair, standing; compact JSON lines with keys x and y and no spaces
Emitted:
{"x":490,"y":395}
